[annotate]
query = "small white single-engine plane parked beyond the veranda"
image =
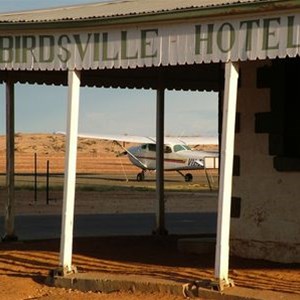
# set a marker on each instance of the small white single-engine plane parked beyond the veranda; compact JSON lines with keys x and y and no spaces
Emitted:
{"x":178,"y":156}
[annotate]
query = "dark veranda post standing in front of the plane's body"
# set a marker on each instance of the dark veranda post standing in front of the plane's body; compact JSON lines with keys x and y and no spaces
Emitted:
{"x":160,"y":202}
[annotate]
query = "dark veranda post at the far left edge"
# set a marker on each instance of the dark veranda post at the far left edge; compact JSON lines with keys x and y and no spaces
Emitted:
{"x":10,"y":164}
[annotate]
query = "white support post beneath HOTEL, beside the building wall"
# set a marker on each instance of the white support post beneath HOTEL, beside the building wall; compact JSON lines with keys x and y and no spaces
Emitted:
{"x":226,"y":168}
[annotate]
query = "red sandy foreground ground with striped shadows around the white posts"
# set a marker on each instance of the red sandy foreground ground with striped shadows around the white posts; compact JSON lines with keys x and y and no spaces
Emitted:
{"x":24,"y":266}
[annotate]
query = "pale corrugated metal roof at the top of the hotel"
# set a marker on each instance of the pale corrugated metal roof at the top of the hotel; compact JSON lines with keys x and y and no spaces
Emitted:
{"x":115,"y":8}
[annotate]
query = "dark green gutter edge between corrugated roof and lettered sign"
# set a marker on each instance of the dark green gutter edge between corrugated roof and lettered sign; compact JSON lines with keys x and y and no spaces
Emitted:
{"x":161,"y":16}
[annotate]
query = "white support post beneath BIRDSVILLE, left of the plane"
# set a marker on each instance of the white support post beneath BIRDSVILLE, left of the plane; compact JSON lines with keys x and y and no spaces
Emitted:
{"x":66,"y":244}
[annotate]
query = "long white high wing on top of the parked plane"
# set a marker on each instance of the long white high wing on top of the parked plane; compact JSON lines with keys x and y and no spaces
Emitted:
{"x":152,"y":140}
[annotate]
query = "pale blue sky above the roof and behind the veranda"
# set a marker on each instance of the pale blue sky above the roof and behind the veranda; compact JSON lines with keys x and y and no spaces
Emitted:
{"x":42,"y":109}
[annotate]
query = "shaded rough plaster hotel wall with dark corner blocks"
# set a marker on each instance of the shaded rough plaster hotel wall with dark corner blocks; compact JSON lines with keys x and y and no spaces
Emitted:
{"x":268,"y":223}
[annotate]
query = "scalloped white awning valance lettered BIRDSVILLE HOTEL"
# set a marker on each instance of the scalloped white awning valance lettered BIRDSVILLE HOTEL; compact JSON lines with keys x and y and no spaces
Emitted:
{"x":176,"y":44}
